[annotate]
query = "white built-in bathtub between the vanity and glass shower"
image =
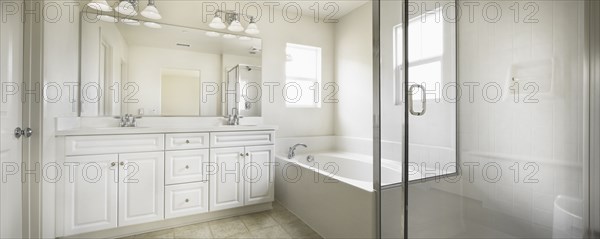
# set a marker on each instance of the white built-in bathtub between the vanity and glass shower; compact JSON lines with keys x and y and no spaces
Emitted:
{"x":334,"y":193}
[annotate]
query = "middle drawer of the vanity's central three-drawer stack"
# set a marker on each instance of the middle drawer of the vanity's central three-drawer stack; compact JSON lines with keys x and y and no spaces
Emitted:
{"x":185,"y":166}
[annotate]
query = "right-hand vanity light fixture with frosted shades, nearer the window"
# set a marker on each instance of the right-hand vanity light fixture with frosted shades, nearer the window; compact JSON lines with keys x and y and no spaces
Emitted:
{"x":224,"y":18}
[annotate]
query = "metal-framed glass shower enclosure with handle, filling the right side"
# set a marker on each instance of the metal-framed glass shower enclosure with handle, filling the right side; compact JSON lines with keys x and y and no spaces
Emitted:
{"x":481,"y":118}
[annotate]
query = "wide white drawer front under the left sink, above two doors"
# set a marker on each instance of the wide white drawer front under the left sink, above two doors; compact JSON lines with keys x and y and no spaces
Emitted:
{"x":105,"y":144}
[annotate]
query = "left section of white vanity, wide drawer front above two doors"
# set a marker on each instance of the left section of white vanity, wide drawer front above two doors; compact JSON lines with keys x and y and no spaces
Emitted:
{"x":116,"y":188}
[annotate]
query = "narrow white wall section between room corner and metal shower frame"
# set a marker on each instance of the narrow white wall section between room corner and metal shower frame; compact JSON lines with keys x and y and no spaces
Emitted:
{"x":354,"y":74}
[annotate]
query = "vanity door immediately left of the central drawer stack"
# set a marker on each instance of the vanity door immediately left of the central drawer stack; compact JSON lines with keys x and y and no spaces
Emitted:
{"x":141,"y":188}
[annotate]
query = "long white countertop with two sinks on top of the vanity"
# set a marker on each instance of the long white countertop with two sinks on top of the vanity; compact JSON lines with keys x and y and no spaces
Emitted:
{"x":160,"y":130}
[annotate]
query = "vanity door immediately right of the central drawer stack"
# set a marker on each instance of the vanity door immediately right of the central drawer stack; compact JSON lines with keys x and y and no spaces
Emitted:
{"x":226,"y":185}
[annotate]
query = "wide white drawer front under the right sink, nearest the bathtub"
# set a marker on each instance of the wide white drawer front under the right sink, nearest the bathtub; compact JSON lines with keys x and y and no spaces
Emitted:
{"x":247,"y":138}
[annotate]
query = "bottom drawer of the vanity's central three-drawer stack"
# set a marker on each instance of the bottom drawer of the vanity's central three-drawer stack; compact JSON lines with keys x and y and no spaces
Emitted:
{"x":186,"y":199}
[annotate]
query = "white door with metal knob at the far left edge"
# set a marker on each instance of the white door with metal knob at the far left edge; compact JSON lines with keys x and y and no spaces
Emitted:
{"x":11,"y":70}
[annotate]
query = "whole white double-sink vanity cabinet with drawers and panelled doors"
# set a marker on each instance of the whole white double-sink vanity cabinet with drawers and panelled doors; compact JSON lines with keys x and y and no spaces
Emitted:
{"x":131,"y":179}
